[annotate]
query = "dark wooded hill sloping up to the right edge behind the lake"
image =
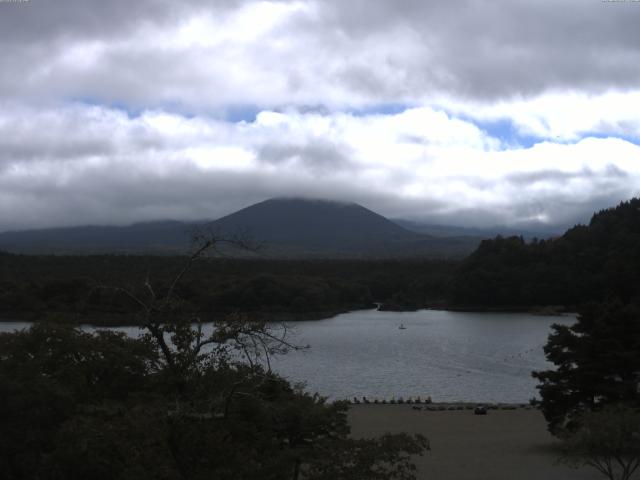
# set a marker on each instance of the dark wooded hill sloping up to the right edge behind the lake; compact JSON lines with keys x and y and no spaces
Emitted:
{"x":591,"y":262}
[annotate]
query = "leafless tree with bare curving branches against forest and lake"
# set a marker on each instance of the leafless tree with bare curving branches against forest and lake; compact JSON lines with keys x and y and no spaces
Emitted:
{"x":180,"y":334}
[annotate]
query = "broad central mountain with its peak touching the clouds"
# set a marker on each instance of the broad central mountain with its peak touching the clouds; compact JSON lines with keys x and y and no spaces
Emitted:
{"x":295,"y":227}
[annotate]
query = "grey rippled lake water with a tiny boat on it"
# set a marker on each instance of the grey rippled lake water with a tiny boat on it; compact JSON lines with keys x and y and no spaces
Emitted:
{"x":450,"y":356}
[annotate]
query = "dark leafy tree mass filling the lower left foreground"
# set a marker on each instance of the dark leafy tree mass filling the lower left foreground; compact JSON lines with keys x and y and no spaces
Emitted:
{"x":104,"y":406}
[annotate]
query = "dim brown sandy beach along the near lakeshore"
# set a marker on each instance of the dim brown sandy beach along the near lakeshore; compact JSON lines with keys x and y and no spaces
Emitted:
{"x":502,"y":445}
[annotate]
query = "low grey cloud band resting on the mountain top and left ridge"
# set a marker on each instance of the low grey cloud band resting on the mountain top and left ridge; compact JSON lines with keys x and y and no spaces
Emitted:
{"x":120,"y":193}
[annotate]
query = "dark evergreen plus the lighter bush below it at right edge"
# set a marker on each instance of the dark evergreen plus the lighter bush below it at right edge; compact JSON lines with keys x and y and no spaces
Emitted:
{"x":591,"y":401}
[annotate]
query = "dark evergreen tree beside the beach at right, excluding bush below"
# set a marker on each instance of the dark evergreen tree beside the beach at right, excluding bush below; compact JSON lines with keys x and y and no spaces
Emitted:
{"x":597,"y":363}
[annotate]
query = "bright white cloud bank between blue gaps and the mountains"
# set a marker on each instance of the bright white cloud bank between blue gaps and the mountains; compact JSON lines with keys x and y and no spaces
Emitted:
{"x":109,"y":167}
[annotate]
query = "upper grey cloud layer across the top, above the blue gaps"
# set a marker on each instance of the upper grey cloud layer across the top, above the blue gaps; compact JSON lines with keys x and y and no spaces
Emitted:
{"x":195,"y":55}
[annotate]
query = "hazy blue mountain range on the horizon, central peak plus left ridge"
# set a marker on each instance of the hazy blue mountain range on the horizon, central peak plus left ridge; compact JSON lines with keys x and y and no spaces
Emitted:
{"x":284,"y":227}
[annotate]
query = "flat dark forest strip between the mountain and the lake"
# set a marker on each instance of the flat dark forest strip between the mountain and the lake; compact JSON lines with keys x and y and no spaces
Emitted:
{"x":86,"y":288}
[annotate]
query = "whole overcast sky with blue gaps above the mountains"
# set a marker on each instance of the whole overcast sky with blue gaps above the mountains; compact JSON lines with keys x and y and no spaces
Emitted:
{"x":473,"y":112}
